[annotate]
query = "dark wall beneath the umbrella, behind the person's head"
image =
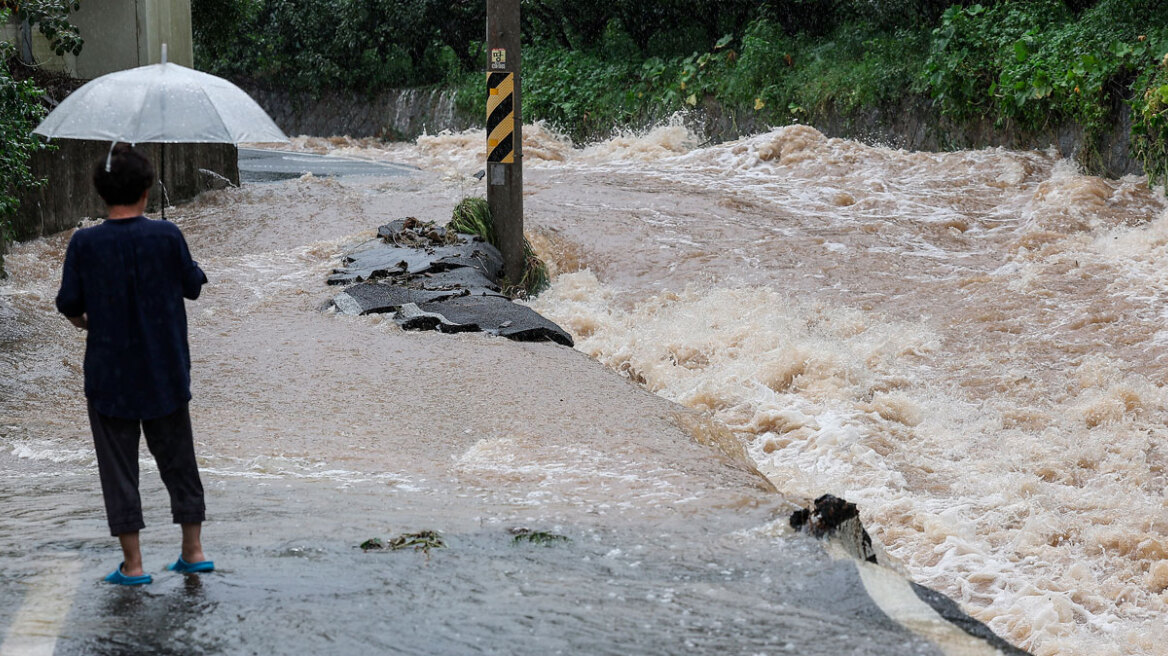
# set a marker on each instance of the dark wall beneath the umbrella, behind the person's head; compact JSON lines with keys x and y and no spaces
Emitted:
{"x":69,"y":197}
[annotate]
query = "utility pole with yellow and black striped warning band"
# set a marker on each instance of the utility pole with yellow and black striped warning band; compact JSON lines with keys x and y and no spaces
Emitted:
{"x":505,"y":135}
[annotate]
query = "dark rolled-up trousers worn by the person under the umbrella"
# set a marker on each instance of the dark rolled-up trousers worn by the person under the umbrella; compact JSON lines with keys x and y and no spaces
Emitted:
{"x":171,"y":442}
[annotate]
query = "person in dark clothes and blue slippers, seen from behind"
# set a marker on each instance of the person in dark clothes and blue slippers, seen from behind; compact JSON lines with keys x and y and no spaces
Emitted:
{"x":124,"y":282}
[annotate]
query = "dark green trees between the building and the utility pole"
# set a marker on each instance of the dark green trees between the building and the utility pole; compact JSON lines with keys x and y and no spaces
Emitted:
{"x":358,"y":45}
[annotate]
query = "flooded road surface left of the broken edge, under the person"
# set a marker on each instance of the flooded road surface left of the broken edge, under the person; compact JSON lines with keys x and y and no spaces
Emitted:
{"x":317,"y":432}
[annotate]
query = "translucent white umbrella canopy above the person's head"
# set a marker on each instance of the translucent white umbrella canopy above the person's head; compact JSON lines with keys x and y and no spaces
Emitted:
{"x":161,"y":103}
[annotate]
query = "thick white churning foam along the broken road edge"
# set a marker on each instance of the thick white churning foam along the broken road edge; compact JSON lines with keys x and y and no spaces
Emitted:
{"x":835,"y":401}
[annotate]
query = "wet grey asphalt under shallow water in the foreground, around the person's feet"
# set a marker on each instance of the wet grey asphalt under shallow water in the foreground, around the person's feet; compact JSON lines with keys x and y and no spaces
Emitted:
{"x":291,"y":580}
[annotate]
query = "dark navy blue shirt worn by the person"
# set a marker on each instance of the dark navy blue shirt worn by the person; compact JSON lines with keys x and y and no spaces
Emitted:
{"x":130,"y":276}
